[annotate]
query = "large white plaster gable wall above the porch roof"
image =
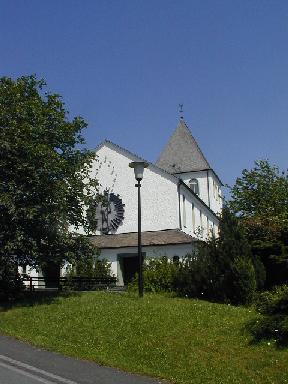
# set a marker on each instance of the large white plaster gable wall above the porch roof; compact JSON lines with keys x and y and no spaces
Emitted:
{"x":159,"y":195}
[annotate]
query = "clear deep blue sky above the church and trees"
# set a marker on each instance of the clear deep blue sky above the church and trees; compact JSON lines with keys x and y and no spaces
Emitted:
{"x":125,"y":65}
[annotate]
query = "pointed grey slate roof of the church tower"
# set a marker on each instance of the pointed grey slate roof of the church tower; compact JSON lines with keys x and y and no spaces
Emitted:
{"x":182,"y":153}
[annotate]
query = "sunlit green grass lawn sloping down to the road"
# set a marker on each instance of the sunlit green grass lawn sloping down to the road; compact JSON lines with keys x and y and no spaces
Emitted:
{"x":184,"y":341}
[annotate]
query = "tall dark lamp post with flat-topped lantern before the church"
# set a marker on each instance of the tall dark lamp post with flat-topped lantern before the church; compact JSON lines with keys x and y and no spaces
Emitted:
{"x":139,"y":170}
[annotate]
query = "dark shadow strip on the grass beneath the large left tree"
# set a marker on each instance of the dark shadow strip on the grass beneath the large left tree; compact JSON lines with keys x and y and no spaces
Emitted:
{"x":29,"y":299}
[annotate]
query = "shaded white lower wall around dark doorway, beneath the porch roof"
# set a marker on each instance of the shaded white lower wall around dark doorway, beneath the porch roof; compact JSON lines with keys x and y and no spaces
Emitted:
{"x":169,"y":251}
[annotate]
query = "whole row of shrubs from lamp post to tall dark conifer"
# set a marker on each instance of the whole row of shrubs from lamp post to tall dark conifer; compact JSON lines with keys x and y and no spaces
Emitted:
{"x":221,"y":269}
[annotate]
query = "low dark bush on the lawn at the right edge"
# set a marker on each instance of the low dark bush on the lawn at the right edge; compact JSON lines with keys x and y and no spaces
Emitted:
{"x":273,"y":305}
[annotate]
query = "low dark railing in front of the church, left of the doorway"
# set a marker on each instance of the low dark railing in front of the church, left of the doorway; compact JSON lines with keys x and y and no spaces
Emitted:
{"x":73,"y":283}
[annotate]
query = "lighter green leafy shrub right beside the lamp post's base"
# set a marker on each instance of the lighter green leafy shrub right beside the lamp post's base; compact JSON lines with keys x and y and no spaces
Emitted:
{"x":158,"y":275}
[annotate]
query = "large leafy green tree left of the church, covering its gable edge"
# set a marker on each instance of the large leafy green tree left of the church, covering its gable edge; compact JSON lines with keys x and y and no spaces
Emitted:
{"x":44,"y":174}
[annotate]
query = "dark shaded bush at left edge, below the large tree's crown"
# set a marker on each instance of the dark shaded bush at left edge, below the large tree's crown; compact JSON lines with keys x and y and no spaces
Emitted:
{"x":11,"y":284}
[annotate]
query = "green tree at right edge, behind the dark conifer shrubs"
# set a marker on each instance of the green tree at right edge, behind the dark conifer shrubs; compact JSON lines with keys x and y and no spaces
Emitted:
{"x":260,"y":198}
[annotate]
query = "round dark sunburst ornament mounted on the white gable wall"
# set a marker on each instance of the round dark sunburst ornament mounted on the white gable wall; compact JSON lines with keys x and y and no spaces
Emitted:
{"x":109,"y":212}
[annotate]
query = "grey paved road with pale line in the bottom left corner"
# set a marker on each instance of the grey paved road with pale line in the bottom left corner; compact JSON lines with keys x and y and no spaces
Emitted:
{"x":21,"y":363}
